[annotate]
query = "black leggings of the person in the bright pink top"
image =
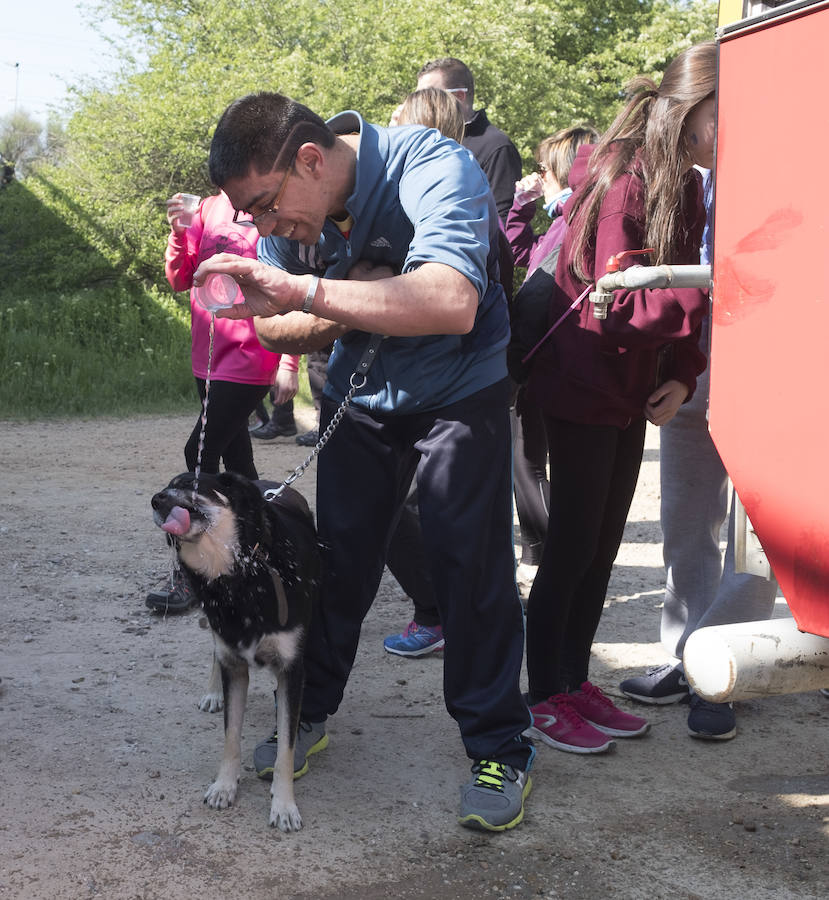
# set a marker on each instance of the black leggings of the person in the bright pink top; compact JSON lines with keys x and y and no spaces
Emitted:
{"x":226,"y":436}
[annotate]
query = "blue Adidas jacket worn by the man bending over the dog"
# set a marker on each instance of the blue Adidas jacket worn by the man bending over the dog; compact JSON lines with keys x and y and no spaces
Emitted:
{"x":418,"y":198}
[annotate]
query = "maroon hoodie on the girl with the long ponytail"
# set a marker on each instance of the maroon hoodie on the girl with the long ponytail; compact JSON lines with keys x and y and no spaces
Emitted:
{"x":601,"y":372}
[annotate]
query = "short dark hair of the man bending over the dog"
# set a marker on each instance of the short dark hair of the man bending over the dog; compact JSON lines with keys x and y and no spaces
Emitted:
{"x":258,"y":131}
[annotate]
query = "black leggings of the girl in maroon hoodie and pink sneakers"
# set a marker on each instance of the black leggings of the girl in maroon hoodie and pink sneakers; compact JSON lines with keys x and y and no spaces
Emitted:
{"x":593,"y":472}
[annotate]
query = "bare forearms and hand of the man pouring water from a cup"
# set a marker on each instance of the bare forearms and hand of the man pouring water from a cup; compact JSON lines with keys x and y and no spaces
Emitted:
{"x":432,"y":299}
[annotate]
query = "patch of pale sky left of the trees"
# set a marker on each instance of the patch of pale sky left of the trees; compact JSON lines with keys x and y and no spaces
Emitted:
{"x":53,"y":44}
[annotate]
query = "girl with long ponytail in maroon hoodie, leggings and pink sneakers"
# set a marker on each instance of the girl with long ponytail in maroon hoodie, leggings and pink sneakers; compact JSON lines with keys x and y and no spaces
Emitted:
{"x":597,"y":381}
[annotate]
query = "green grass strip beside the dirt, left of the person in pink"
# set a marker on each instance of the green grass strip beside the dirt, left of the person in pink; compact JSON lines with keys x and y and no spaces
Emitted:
{"x":114,"y":350}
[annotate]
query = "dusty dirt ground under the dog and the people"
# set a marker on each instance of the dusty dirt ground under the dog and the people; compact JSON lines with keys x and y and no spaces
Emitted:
{"x":105,"y":756}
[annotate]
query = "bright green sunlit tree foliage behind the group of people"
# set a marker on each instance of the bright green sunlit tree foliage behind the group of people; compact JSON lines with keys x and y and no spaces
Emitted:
{"x":539,"y":65}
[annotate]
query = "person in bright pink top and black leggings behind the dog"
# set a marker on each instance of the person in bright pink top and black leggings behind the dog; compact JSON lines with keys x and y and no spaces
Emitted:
{"x":242,"y":371}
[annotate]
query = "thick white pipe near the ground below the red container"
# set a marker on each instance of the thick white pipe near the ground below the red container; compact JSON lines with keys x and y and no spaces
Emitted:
{"x":755,"y":659}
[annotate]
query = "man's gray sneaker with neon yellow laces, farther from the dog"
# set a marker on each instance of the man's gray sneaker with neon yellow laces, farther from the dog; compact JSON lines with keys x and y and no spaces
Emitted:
{"x":494,"y":799}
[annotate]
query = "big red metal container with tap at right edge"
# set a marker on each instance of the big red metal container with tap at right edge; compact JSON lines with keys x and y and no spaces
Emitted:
{"x":769,"y":407}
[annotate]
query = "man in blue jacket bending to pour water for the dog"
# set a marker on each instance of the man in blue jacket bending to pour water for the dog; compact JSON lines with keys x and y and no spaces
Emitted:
{"x":397,"y":223}
